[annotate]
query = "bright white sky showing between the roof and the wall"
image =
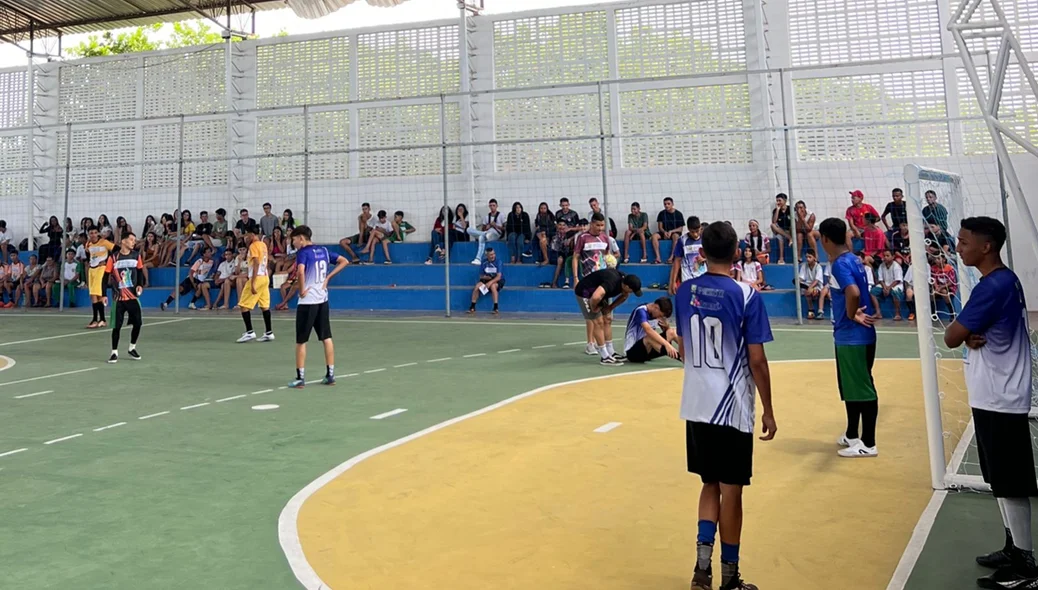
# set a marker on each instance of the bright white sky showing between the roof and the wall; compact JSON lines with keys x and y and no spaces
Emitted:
{"x":359,"y":15}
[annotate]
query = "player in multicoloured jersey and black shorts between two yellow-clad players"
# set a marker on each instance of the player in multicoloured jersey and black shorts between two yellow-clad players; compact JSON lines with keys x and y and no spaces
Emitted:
{"x":126,"y":272}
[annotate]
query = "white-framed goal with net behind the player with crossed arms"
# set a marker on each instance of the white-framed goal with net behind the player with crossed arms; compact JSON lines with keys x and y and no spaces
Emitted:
{"x":938,"y":202}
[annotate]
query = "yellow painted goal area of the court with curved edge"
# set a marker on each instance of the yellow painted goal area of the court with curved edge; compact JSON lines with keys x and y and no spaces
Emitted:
{"x":530,"y":497}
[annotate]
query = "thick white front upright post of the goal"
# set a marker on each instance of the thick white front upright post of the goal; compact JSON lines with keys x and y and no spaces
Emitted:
{"x":927,"y":348}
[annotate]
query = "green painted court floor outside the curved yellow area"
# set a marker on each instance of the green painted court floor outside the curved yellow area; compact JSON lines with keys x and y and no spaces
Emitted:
{"x":159,"y":474}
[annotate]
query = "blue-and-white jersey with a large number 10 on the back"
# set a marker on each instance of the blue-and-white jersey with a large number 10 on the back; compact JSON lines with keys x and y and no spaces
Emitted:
{"x":718,"y":320}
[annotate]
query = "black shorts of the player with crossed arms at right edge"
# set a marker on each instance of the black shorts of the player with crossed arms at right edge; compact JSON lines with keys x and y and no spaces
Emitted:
{"x":1006,"y":457}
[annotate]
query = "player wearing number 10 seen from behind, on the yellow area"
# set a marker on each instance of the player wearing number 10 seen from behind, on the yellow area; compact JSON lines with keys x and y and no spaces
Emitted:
{"x":722,"y":329}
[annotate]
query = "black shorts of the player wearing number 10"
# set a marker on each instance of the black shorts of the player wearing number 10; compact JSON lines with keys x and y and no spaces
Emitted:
{"x":720,"y":454}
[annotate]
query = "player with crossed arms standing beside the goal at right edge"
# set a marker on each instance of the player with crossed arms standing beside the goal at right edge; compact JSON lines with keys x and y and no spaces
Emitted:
{"x":994,"y":326}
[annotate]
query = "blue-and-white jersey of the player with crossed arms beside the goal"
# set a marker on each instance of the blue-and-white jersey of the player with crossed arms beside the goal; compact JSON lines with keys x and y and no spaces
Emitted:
{"x":999,"y":373}
